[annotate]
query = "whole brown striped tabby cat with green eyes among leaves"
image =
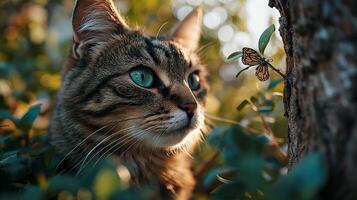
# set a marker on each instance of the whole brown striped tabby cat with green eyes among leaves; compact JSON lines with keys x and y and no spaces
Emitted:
{"x":132,"y":96}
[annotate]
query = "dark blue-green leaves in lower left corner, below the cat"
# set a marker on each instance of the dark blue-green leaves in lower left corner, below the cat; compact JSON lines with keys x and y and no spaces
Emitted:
{"x":28,"y":170}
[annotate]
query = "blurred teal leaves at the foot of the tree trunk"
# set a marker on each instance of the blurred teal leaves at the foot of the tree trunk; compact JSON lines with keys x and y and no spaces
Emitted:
{"x":251,"y":175}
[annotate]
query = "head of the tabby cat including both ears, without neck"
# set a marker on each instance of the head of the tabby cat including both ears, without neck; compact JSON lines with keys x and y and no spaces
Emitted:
{"x":128,"y":86}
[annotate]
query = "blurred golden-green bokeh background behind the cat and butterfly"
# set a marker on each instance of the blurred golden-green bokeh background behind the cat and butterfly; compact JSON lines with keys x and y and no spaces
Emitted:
{"x":36,"y":35}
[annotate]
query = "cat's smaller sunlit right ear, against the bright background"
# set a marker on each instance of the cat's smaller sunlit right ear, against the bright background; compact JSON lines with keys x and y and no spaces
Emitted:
{"x":188,"y":31}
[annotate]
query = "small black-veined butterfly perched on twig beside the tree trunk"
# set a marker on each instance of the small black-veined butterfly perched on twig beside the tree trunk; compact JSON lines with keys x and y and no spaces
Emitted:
{"x":252,"y":58}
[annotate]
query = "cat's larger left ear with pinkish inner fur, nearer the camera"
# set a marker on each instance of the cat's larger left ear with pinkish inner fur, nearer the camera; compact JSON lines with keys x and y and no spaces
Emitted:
{"x":93,"y":21}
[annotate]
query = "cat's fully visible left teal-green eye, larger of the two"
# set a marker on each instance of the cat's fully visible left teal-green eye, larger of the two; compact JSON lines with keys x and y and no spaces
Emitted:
{"x":142,"y":77}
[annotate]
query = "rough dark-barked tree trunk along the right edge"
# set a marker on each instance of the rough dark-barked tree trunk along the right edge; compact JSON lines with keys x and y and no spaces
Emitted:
{"x":320,"y":96}
